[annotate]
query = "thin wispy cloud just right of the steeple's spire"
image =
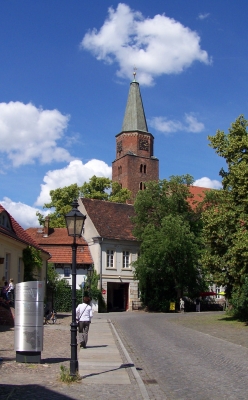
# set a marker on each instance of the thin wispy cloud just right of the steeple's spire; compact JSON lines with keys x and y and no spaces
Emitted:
{"x":190,"y":124}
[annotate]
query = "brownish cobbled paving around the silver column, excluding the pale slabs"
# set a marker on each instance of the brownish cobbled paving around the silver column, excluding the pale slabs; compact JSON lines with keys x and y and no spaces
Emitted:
{"x":40,"y":381}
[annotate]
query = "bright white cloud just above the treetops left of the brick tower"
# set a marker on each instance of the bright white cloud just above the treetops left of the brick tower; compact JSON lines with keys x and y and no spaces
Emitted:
{"x":75,"y":172}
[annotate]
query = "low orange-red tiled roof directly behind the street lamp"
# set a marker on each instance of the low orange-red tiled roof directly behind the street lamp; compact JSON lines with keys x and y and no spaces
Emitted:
{"x":58,"y":244}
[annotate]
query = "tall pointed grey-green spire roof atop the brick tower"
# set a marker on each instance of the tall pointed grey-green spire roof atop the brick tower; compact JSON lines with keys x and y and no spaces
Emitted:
{"x":134,"y":119}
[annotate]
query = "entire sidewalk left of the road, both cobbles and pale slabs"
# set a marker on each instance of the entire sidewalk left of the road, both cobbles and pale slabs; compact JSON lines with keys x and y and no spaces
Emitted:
{"x":106,"y":369}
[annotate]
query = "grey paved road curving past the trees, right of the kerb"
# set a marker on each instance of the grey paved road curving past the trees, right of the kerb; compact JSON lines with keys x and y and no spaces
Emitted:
{"x":176,"y":361}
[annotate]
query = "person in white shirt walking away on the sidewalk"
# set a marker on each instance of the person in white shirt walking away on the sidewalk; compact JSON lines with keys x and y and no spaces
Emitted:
{"x":83,"y":316}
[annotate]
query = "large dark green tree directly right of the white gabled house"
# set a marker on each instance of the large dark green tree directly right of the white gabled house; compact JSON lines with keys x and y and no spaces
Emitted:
{"x":170,"y":235}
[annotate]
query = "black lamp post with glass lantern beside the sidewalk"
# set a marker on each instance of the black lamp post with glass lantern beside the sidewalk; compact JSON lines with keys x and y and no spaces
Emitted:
{"x":74,"y":223}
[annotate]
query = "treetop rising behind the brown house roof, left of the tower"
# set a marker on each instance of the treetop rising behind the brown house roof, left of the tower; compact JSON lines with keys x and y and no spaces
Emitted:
{"x":97,"y":188}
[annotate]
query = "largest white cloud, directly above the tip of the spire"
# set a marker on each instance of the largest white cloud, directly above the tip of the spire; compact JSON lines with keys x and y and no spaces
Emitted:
{"x":156,"y":46}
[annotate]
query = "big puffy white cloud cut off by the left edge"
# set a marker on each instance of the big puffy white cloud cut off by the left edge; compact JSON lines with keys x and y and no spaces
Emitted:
{"x":28,"y":133}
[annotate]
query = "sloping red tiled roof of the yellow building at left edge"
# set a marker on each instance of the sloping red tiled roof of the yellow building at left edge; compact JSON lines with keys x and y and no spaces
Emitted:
{"x":17,"y":232}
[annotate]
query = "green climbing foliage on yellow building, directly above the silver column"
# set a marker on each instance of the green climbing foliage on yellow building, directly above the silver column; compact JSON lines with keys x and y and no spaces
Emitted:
{"x":32,"y":263}
